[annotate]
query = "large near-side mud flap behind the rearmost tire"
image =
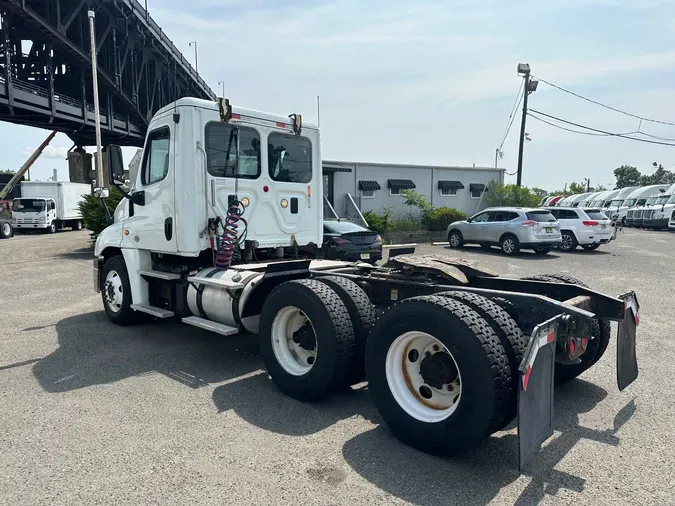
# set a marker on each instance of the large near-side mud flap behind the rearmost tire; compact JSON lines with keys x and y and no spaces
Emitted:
{"x":535,"y":390}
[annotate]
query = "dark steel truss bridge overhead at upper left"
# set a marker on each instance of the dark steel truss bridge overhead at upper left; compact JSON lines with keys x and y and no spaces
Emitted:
{"x":45,"y":68}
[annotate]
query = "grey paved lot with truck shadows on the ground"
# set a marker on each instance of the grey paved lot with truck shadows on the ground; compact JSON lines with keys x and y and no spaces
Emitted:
{"x":97,"y":414}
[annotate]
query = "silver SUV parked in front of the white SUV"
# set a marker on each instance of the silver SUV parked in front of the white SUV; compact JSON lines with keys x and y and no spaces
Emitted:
{"x":510,"y":228}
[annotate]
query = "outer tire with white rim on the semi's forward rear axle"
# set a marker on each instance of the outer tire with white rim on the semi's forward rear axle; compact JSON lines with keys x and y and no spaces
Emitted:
{"x":333,"y":335}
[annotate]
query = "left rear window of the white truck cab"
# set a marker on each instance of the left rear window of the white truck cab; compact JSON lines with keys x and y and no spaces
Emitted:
{"x":221,"y":151}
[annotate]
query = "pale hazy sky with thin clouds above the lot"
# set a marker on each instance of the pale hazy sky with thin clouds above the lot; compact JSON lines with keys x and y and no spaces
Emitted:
{"x":408,"y":81}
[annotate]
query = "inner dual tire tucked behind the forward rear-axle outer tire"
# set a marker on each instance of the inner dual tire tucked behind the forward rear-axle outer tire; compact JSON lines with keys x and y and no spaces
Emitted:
{"x":363,"y":317}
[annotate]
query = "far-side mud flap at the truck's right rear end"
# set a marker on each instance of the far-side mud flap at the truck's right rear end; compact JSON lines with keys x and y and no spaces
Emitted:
{"x":626,"y":358}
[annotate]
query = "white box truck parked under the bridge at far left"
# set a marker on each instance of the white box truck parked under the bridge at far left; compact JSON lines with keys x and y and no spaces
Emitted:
{"x":49,"y":205}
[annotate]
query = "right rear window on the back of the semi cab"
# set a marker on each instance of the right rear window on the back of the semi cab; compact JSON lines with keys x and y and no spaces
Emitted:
{"x":289,"y":157}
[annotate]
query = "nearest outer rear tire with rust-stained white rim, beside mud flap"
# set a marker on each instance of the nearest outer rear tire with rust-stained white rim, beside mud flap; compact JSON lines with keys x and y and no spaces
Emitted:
{"x":476,"y":351}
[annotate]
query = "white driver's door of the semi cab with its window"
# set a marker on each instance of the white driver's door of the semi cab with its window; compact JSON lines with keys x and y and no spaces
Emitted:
{"x":152,"y":226}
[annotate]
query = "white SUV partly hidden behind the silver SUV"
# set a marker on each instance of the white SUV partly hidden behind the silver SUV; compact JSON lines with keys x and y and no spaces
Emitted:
{"x":588,"y":228}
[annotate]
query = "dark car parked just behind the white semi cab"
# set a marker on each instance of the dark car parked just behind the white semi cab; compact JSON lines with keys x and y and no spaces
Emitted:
{"x":344,"y":240}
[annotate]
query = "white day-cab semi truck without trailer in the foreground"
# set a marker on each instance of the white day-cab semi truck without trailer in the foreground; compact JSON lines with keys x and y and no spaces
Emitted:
{"x":221,"y":230}
